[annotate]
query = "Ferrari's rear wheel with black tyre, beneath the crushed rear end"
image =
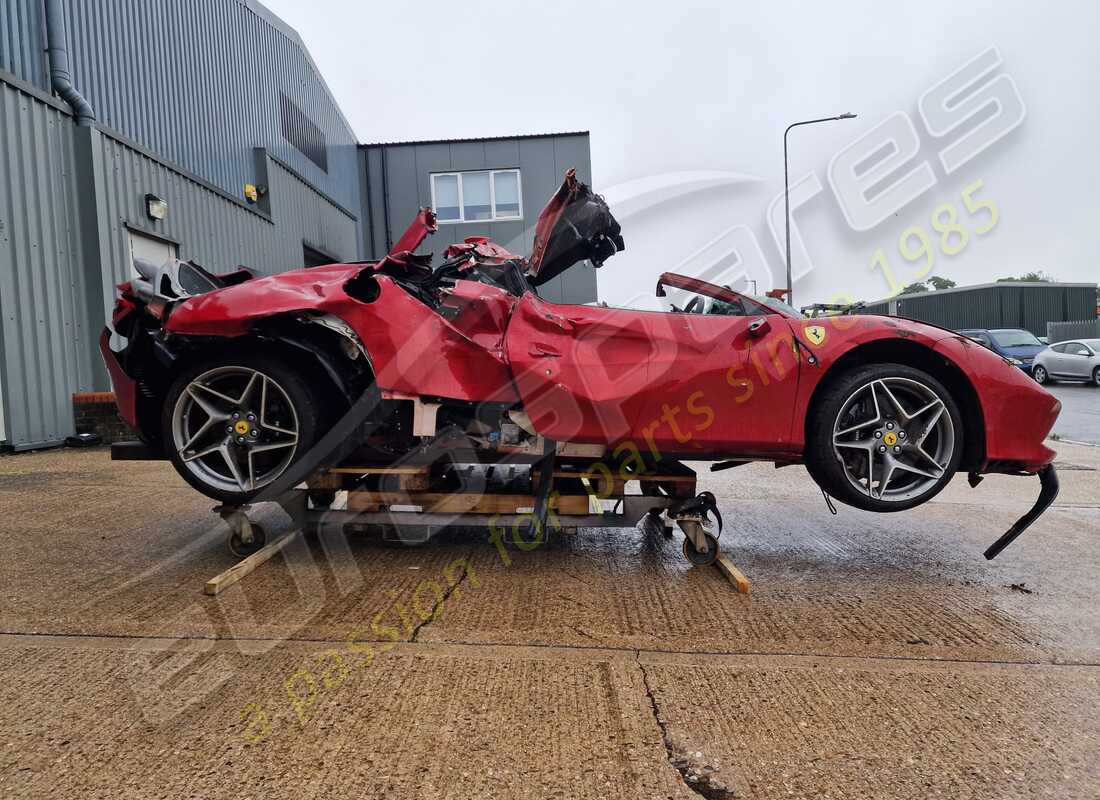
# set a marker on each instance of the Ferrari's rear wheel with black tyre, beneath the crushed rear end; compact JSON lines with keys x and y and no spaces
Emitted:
{"x":234,"y":424}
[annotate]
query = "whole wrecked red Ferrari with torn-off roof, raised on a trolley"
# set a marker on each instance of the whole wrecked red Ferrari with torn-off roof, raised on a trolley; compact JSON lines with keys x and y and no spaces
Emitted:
{"x":249,"y":382}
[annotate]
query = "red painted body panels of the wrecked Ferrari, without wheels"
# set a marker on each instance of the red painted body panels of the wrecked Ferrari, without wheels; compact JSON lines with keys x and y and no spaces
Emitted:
{"x":687,"y":386}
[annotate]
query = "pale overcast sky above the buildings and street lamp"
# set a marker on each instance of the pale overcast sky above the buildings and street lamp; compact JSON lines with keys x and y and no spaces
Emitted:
{"x":688,"y":86}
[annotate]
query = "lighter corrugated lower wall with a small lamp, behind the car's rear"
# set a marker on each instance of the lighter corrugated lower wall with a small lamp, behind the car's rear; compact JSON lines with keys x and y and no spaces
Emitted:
{"x":211,"y":228}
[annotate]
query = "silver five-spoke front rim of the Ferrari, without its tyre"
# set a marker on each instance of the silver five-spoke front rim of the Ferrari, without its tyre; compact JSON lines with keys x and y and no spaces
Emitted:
{"x":895,"y":439}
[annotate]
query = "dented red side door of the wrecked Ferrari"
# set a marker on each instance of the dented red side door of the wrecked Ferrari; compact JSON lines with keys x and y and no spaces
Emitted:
{"x":672,"y":383}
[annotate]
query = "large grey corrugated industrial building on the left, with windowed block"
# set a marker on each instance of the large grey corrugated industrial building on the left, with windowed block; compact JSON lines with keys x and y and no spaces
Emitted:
{"x":202,"y":130}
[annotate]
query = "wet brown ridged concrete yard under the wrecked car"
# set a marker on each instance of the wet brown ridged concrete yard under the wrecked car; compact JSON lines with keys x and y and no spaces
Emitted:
{"x":879,"y":656}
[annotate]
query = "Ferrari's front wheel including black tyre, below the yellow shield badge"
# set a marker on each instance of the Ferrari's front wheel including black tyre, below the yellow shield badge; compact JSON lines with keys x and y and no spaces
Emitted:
{"x":884,"y":439}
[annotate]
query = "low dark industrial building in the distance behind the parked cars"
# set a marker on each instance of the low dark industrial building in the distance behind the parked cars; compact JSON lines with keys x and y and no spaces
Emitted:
{"x":1006,"y":304}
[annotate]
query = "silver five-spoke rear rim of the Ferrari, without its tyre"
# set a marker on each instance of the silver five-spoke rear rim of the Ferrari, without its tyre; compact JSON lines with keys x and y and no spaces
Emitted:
{"x":235,"y":429}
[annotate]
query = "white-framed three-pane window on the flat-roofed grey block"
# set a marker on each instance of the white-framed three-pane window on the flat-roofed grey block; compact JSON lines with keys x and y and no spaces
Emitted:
{"x":483,"y":196}
